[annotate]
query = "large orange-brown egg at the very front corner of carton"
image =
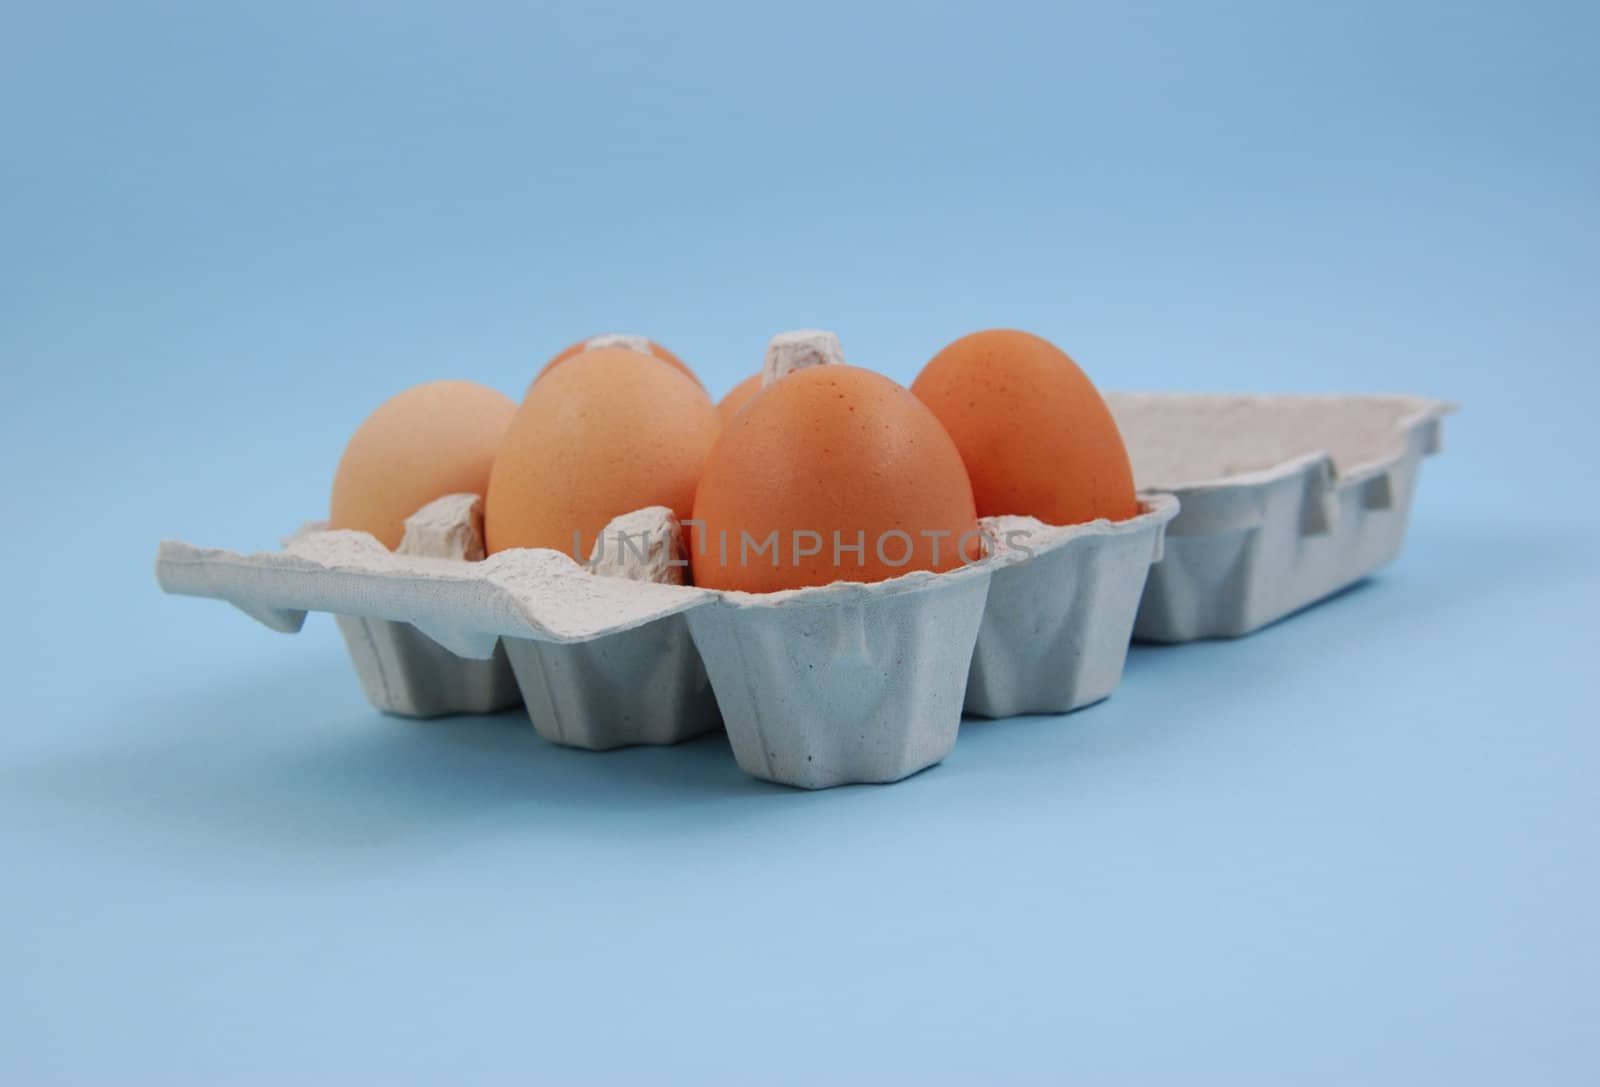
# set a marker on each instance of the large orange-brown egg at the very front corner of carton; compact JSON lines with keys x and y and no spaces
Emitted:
{"x":833,"y":455}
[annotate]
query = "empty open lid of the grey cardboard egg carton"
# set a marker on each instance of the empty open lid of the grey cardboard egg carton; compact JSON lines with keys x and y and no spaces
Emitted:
{"x":1284,"y":500}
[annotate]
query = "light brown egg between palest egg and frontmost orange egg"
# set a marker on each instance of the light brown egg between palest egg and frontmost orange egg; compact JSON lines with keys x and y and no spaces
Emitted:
{"x":604,"y":435}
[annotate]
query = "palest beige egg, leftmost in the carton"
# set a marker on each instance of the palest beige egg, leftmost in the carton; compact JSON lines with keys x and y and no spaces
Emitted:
{"x":433,"y":441}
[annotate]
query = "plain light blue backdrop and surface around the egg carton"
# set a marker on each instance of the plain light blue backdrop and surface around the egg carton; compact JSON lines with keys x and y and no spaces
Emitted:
{"x":1356,"y":848}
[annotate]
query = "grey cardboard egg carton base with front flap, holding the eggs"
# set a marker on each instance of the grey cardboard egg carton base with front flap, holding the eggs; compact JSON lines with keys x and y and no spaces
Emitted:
{"x":817,"y":688}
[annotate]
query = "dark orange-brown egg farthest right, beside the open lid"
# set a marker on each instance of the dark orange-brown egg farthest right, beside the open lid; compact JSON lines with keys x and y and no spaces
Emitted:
{"x":1036,"y":436}
